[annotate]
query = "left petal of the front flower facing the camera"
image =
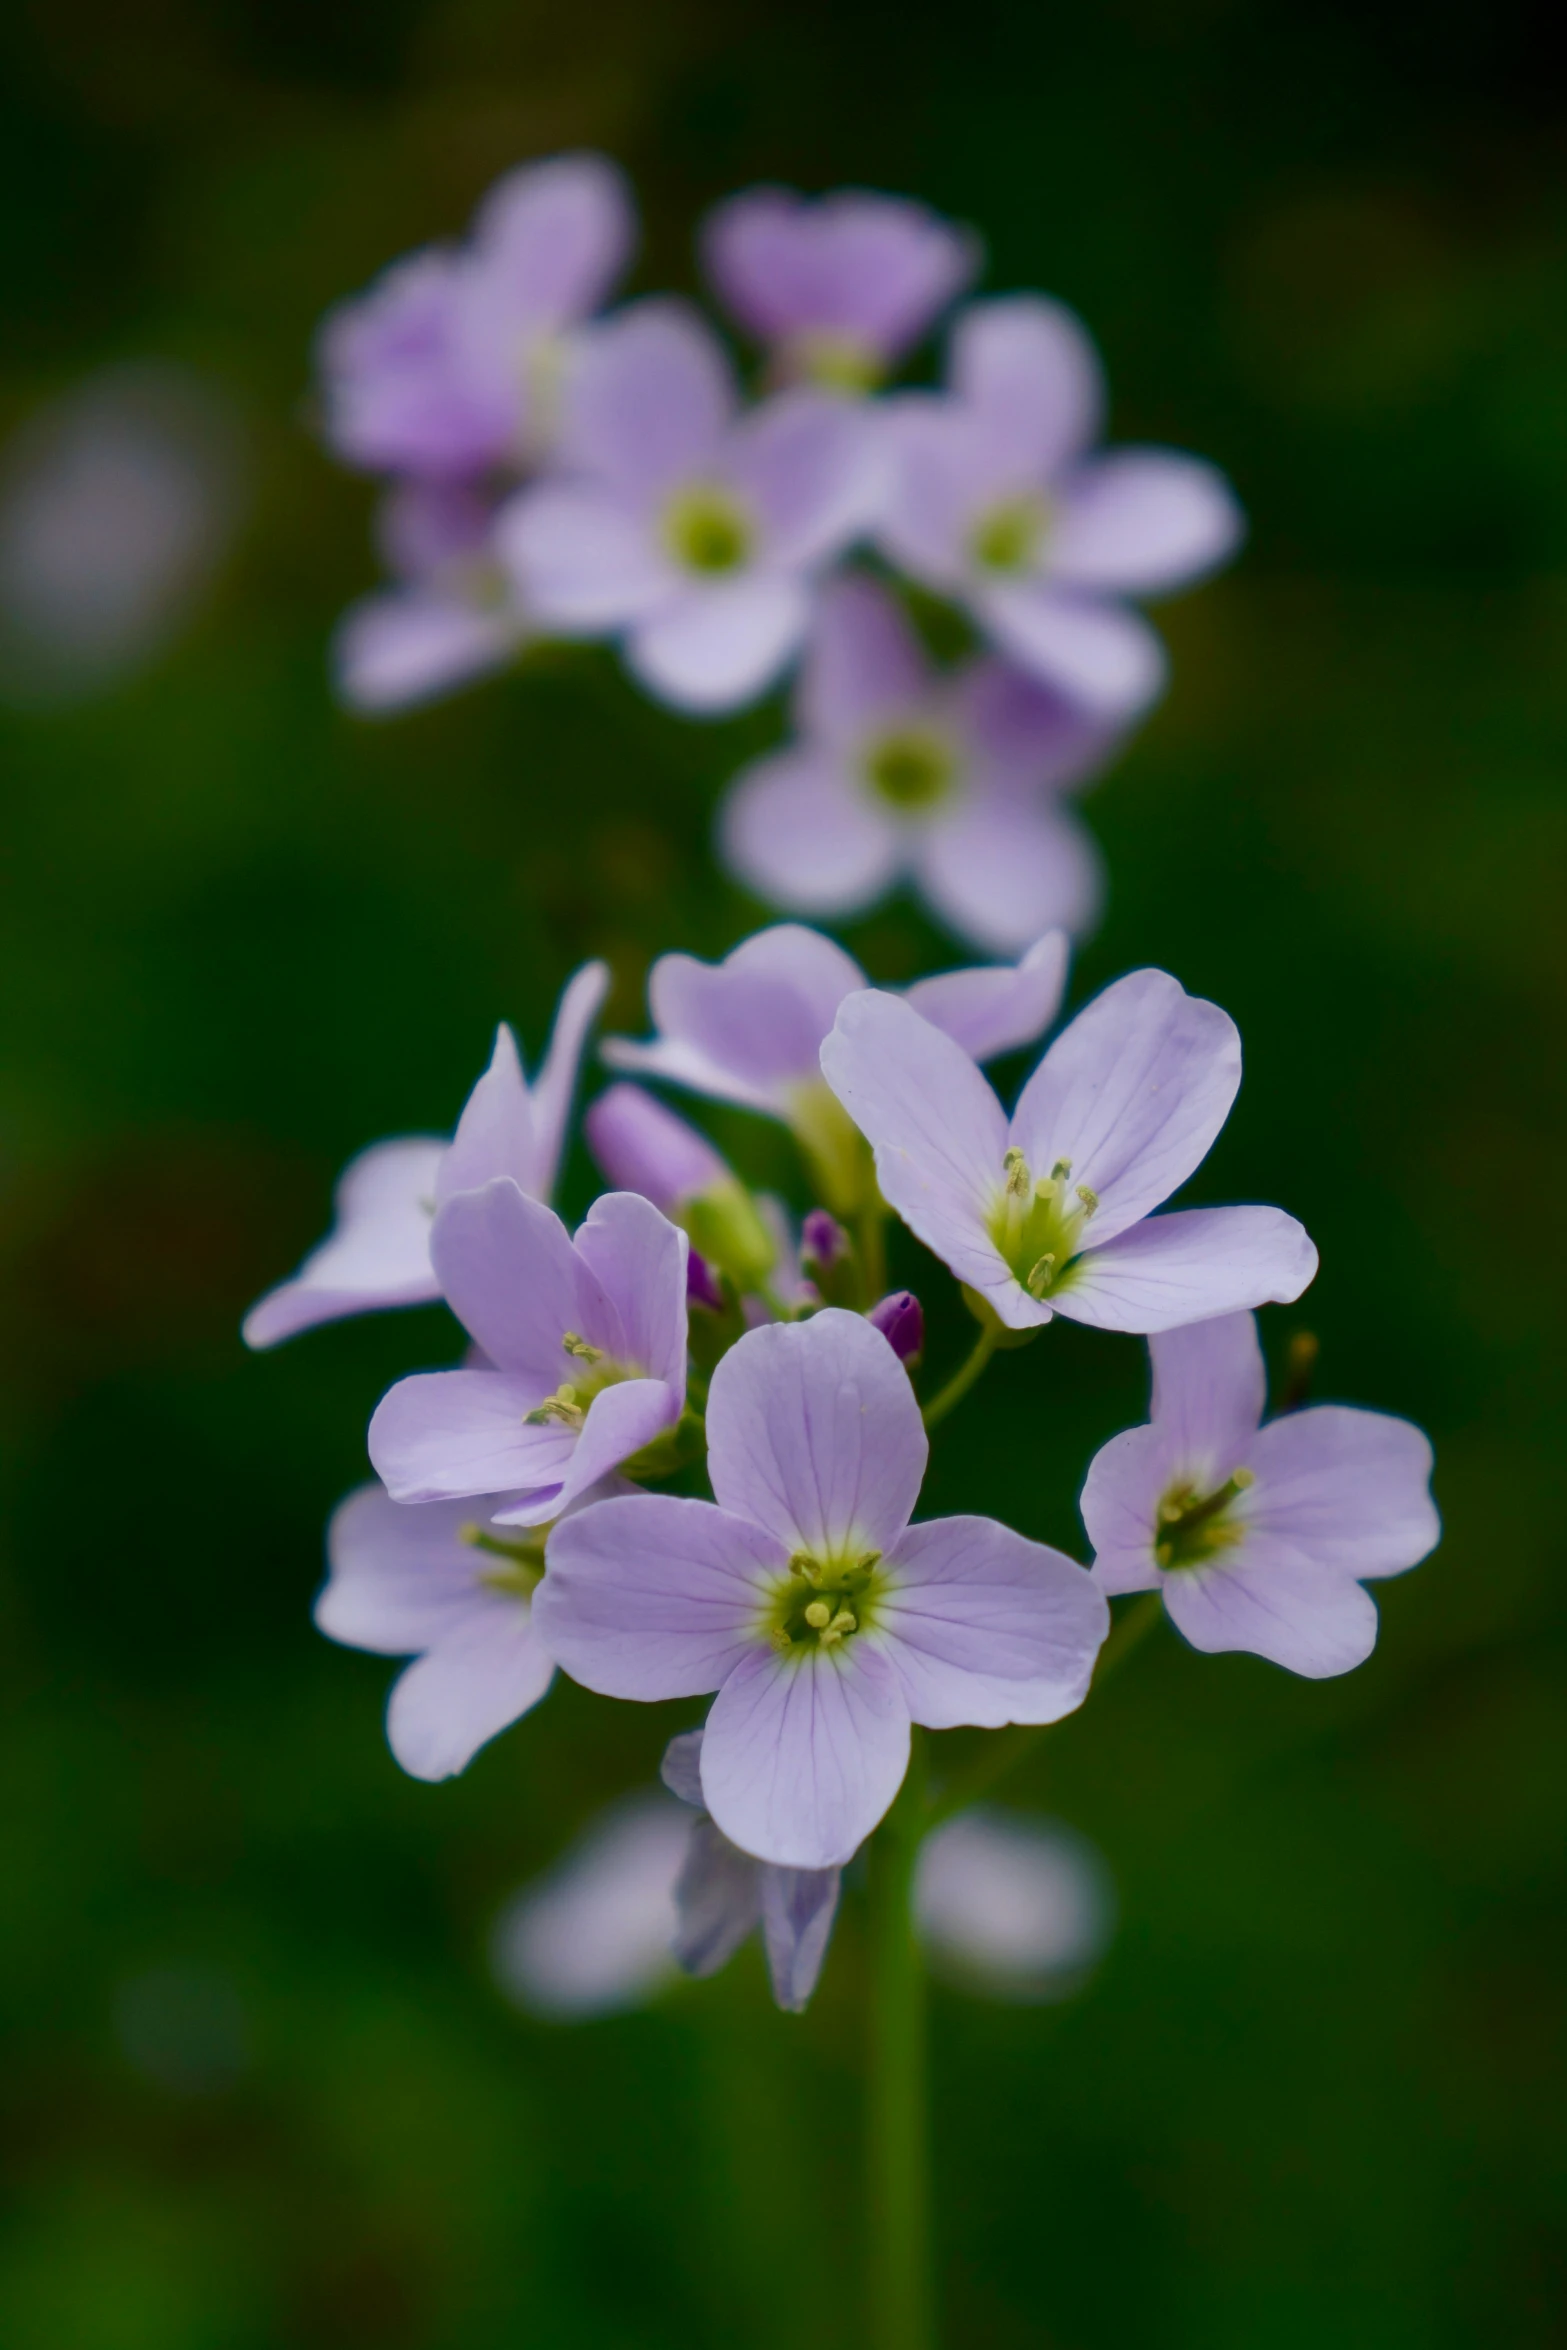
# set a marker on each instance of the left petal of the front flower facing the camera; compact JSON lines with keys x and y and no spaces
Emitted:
{"x":654,"y":1597}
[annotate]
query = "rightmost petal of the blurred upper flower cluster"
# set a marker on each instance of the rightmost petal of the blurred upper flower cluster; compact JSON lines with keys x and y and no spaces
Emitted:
{"x":1143,"y":521}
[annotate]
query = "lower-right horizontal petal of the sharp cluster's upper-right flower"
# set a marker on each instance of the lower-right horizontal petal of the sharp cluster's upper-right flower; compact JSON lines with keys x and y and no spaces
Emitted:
{"x":1188,"y":1268}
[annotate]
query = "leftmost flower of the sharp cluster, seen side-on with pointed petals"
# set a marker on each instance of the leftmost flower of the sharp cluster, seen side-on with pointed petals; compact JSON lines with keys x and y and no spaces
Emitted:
{"x":379,"y":1247}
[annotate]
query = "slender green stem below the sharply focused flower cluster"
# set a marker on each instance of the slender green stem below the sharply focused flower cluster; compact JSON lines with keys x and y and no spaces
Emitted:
{"x":899,"y":2128}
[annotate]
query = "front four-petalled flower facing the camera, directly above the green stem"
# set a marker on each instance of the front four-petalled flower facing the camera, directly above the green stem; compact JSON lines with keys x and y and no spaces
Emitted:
{"x":809,"y":1604}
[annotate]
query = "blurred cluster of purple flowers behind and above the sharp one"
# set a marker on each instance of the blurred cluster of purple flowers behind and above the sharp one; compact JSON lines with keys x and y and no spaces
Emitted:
{"x":563,"y":471}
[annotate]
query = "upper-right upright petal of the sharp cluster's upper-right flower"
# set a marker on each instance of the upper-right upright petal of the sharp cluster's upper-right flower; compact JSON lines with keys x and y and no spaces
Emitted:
{"x":1131,"y":1096}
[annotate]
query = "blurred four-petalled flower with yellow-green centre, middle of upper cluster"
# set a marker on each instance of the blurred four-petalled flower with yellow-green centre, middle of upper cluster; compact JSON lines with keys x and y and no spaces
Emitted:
{"x":682,"y":528}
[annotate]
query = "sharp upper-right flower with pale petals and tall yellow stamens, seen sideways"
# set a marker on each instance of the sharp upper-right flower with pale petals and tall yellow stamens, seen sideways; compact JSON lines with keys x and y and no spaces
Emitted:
{"x":1049,"y":1214}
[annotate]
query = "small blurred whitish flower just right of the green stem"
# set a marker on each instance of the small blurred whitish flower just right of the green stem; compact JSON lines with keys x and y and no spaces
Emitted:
{"x":1014,"y":1907}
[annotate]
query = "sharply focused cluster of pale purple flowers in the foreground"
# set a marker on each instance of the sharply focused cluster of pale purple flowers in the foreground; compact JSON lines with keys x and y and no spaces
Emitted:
{"x":685,"y":1451}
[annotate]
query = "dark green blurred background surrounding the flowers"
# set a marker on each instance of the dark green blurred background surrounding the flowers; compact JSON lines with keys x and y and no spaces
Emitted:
{"x":1314,"y":2093}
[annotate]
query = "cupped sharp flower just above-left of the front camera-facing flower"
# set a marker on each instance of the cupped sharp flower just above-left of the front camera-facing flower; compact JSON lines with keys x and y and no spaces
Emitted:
{"x":584,"y":1350}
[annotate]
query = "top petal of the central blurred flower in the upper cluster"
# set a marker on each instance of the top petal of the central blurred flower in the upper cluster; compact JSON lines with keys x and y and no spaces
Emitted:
{"x":647,"y":403}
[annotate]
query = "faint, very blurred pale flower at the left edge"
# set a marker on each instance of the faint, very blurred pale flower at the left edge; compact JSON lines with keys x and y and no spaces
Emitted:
{"x":116,"y":509}
